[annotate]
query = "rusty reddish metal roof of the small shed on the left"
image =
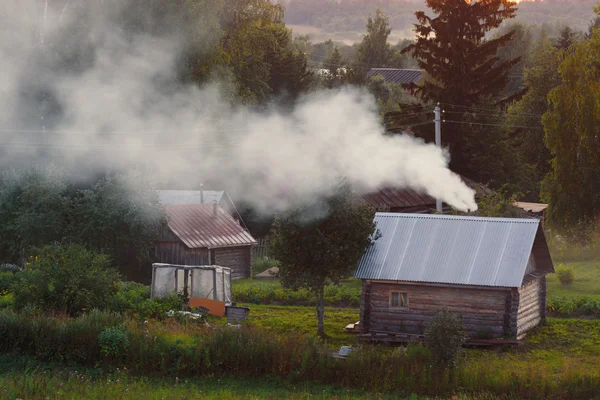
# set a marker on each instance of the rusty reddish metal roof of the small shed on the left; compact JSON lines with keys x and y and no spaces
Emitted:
{"x":195,"y":225}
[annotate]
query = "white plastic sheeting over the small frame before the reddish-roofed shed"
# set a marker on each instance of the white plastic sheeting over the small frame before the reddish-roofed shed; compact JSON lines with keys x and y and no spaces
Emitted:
{"x":203,"y":281}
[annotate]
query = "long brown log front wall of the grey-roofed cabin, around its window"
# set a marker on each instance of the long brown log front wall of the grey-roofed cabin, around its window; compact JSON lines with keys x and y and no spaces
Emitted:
{"x":483,"y":310}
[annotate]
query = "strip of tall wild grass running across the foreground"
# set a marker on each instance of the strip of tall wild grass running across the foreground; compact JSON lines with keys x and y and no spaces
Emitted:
{"x":253,"y":352}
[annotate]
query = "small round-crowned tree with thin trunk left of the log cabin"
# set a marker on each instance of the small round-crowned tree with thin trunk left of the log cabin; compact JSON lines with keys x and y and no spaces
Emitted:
{"x":322,"y":244}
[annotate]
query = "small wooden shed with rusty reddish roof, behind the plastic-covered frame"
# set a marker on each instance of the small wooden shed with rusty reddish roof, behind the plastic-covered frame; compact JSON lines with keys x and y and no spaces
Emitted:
{"x":205,"y":234}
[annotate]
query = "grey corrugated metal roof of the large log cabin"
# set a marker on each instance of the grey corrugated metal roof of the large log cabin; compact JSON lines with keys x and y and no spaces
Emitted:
{"x":450,"y":249}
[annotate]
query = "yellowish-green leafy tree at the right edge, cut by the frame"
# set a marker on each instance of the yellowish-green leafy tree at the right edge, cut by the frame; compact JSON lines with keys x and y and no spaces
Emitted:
{"x":572,"y":127}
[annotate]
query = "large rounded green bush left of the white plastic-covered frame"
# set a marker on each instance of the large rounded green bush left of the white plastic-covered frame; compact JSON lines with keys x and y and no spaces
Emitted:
{"x":67,"y":279}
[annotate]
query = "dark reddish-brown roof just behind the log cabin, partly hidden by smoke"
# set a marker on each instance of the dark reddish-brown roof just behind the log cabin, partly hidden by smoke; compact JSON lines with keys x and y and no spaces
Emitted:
{"x":408,"y":198}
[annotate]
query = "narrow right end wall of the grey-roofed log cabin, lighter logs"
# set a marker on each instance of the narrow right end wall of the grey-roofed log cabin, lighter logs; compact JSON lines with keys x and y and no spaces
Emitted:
{"x":531,"y":309}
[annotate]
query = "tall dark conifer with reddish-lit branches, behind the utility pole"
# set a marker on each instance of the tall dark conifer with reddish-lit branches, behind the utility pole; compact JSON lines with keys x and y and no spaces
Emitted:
{"x":462,"y":70}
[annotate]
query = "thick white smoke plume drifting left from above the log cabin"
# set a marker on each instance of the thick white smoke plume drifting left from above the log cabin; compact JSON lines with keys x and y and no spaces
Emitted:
{"x":124,"y":108}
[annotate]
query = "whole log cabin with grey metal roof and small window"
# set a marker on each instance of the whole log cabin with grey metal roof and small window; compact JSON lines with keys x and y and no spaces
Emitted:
{"x":491,"y":271}
